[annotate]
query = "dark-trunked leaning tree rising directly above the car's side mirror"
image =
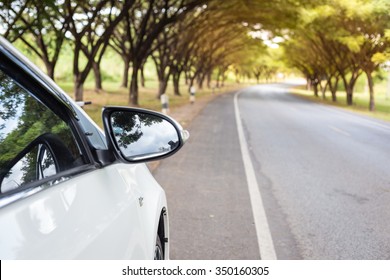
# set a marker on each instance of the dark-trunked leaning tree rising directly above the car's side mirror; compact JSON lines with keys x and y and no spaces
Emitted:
{"x":142,"y":26}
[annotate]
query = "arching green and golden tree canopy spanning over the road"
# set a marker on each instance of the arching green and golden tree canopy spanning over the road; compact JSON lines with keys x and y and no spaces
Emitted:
{"x":328,"y":41}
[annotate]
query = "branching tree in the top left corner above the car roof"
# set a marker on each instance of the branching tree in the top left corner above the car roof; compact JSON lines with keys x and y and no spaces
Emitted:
{"x":43,"y":33}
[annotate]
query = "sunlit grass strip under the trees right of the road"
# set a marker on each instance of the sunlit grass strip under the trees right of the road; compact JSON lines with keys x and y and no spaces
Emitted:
{"x":360,"y":101}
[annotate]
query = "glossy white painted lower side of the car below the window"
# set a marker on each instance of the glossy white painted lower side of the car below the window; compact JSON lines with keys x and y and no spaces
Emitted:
{"x":93,"y":216}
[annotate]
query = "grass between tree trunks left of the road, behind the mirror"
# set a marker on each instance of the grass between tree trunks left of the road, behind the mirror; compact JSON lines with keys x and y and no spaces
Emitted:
{"x":112,"y":94}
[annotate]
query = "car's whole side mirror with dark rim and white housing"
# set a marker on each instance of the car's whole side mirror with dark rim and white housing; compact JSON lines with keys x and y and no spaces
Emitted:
{"x":139,"y":135}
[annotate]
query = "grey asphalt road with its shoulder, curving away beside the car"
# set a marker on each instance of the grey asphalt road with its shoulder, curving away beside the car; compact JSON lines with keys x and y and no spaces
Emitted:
{"x":323,"y":174}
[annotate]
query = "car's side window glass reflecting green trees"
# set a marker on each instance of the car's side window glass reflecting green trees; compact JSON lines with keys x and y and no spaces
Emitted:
{"x":35,"y":143}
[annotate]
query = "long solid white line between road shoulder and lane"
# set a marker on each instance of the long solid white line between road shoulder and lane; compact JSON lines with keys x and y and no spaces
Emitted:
{"x":264,"y":237}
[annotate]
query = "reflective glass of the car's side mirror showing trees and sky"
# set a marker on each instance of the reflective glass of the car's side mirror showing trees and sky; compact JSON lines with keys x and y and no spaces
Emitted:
{"x":142,"y":136}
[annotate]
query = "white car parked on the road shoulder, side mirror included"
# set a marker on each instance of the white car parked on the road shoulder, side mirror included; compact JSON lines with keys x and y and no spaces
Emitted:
{"x":68,"y":190}
